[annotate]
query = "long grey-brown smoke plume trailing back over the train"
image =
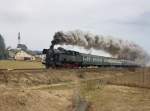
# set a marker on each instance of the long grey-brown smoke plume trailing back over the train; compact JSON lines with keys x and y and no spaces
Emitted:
{"x":116,"y":47}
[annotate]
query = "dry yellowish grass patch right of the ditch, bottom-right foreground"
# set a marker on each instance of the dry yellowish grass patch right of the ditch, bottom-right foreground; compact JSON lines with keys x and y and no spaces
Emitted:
{"x":118,"y":98}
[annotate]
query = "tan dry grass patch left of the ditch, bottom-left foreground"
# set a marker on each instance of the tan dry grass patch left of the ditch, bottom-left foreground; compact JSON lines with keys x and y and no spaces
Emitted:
{"x":34,"y":100}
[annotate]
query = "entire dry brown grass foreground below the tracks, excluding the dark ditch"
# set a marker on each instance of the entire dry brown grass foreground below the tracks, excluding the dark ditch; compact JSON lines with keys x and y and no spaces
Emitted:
{"x":38,"y":86}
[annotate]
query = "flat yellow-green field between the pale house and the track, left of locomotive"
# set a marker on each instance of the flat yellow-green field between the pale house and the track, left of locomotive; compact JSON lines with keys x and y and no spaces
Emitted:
{"x":11,"y":64}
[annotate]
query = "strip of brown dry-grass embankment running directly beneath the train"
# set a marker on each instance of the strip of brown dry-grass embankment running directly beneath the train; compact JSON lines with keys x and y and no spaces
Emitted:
{"x":118,"y":77}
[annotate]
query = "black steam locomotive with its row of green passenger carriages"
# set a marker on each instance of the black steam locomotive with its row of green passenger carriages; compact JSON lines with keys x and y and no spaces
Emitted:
{"x":67,"y":58}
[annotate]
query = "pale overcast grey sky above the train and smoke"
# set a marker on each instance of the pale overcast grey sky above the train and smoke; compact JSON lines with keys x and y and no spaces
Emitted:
{"x":38,"y":20}
